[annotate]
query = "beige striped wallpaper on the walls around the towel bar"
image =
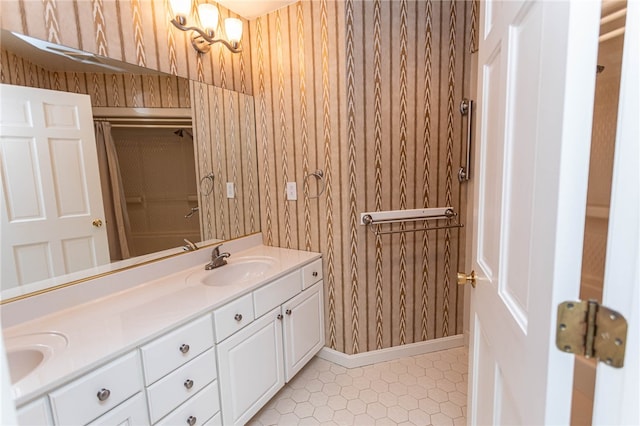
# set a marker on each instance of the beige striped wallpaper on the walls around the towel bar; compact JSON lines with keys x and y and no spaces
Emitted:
{"x":367,"y":91}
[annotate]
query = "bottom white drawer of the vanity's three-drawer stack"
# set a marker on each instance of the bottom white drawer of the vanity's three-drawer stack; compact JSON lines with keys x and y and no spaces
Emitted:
{"x":197,"y":411}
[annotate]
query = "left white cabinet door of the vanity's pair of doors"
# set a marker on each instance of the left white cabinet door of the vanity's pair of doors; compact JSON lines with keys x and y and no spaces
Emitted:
{"x":251,"y":368}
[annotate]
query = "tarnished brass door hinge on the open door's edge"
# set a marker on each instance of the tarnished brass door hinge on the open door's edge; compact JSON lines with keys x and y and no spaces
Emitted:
{"x":592,"y":330}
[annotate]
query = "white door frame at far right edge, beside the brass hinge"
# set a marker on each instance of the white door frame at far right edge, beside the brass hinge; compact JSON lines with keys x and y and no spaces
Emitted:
{"x":617,"y":390}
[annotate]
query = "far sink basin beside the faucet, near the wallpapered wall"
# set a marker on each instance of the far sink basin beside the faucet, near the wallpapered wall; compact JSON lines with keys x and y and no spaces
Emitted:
{"x":236,"y":271}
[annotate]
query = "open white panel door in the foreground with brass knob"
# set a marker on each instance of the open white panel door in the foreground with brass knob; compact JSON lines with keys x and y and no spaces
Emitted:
{"x":531,"y":161}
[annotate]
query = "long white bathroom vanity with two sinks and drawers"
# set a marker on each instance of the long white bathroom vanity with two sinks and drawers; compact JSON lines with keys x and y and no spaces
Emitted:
{"x":196,"y":347}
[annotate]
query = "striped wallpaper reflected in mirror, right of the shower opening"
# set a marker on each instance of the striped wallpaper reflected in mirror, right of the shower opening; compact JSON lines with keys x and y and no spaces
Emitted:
{"x":225,"y":142}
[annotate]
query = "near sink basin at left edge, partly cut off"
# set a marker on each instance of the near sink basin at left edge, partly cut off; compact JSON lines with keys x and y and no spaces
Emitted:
{"x":26,"y":353}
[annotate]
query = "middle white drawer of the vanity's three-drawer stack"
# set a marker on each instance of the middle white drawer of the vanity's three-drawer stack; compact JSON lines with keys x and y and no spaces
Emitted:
{"x":172,"y":390}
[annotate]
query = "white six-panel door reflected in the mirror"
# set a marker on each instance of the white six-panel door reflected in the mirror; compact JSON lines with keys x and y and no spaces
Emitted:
{"x":50,"y":186}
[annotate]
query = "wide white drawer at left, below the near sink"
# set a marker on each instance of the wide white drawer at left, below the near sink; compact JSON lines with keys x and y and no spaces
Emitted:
{"x":78,"y":402}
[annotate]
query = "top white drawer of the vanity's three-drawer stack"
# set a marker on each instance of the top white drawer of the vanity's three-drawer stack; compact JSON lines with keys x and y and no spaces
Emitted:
{"x":170,"y":351}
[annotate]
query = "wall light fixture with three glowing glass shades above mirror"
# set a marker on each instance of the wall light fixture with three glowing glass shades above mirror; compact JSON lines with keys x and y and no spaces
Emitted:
{"x":203,"y":38}
